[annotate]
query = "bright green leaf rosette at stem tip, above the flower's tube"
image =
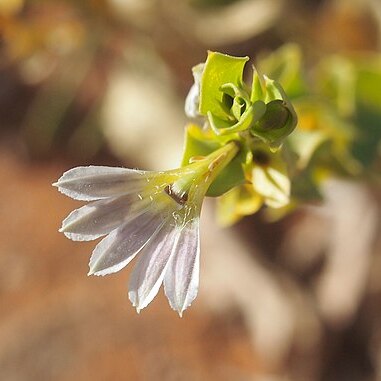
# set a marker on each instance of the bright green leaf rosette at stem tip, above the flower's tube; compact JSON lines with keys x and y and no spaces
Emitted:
{"x":231,"y":106}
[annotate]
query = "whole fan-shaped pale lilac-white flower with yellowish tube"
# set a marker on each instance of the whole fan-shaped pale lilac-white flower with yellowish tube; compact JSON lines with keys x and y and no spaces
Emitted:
{"x":155,"y":214}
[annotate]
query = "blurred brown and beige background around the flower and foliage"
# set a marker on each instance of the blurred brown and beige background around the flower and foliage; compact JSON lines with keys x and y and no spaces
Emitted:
{"x":103,"y":82}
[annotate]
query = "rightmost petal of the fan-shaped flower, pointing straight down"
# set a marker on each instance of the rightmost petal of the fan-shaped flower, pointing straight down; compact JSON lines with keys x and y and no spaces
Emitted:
{"x":182,"y":275}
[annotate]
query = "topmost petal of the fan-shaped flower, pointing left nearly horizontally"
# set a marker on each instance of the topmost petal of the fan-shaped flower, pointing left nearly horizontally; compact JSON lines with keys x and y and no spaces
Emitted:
{"x":97,"y":182}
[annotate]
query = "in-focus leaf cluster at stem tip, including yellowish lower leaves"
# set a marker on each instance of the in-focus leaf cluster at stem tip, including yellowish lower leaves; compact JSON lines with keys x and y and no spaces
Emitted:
{"x":259,"y":117}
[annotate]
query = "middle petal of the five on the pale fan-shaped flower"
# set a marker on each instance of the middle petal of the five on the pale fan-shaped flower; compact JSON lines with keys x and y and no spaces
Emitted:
{"x":116,"y":250}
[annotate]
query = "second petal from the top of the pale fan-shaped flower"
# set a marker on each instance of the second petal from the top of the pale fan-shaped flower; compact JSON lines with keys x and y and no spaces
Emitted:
{"x":100,"y":217}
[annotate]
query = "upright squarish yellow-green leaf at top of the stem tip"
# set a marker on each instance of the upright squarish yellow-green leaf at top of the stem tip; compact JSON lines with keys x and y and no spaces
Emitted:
{"x":219,"y":69}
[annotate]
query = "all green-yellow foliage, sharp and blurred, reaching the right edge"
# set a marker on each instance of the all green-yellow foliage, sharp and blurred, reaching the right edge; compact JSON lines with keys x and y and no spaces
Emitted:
{"x":337,"y":101}
